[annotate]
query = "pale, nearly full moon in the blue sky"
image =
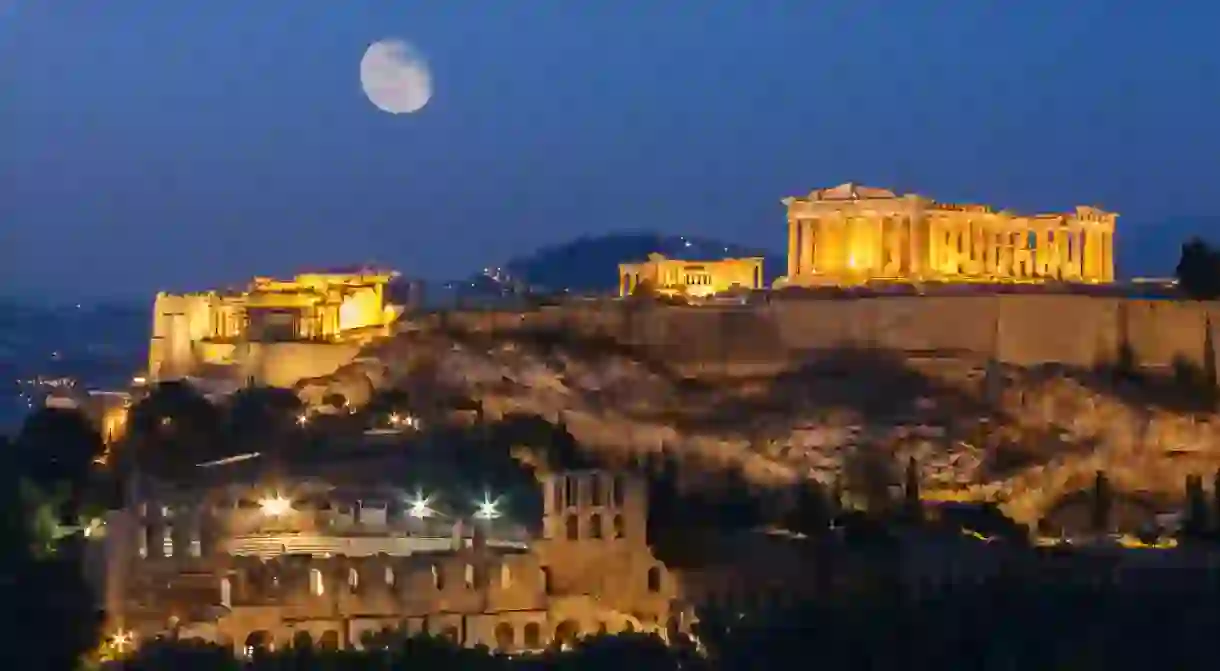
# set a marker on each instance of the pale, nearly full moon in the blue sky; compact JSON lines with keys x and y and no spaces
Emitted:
{"x":396,"y":77}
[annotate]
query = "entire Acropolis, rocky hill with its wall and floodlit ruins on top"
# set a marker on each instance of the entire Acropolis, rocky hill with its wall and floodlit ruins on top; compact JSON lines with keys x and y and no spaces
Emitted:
{"x":1013,"y":395}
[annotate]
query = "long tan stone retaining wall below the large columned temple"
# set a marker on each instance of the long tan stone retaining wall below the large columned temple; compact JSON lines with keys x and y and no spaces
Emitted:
{"x":1016,"y":329}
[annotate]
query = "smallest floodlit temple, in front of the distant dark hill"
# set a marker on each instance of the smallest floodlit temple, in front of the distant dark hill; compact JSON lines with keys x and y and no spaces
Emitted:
{"x":675,"y":278}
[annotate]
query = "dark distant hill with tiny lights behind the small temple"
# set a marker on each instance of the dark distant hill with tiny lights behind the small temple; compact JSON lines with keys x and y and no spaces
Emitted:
{"x":591,"y":264}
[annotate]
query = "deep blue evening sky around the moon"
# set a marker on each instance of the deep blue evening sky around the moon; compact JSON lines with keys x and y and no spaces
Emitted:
{"x":185,"y":143}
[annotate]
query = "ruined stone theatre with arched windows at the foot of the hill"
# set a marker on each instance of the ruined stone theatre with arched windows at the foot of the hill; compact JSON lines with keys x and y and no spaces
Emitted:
{"x":173,"y":567}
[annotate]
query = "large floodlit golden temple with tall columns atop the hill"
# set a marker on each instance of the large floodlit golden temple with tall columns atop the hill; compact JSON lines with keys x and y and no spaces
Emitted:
{"x":851,"y":235}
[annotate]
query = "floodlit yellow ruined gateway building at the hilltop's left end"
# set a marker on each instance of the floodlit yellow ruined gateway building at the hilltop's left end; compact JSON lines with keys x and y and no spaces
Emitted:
{"x":234,"y":332}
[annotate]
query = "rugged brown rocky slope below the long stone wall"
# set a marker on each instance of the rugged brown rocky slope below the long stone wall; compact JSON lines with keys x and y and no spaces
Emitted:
{"x":1025,"y":439}
